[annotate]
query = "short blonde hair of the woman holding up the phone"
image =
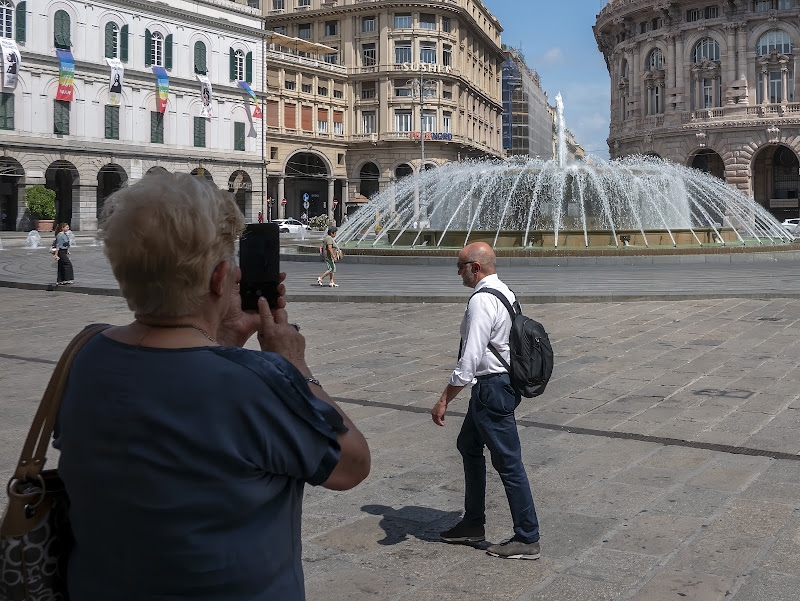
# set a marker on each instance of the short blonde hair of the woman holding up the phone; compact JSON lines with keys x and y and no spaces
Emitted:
{"x":164,"y":236}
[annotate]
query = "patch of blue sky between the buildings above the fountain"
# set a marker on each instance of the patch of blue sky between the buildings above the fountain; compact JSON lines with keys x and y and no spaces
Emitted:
{"x":558,"y":42}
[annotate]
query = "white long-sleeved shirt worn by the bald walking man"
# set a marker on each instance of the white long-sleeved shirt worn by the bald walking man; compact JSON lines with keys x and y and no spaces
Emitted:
{"x":485,"y":320}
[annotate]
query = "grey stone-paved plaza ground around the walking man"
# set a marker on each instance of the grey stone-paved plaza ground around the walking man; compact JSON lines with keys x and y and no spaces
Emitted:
{"x":629,"y":451}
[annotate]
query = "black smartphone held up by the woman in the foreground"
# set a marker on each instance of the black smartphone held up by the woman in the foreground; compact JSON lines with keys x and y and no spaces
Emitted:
{"x":259,"y":259}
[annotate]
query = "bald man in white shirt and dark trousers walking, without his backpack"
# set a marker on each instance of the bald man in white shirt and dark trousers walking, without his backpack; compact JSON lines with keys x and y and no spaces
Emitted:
{"x":490,"y":418}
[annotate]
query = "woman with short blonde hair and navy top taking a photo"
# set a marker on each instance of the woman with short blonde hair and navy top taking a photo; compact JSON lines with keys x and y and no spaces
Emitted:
{"x":183,"y":454}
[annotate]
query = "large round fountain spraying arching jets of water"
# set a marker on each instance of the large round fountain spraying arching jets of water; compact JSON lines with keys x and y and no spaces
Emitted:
{"x":529,"y":203}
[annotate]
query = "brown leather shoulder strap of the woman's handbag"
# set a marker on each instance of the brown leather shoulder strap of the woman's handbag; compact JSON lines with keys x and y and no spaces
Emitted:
{"x":34,"y":451}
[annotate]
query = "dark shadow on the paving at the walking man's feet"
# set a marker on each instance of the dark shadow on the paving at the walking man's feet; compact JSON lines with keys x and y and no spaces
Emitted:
{"x":423,"y":523}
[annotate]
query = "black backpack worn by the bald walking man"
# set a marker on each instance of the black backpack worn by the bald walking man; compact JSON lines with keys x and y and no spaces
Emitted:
{"x":531,"y":352}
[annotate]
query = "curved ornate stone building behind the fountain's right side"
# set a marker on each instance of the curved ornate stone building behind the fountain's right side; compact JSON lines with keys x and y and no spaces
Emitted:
{"x":711,"y":85}
